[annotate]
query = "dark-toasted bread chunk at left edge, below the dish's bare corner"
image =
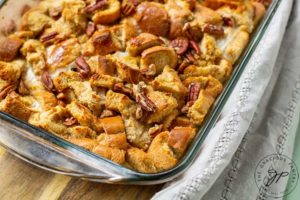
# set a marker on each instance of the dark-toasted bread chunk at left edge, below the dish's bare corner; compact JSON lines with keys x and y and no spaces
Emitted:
{"x":9,"y":49}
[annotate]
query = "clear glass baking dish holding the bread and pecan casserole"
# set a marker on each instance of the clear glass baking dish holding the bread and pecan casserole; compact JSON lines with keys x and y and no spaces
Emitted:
{"x":55,"y":154}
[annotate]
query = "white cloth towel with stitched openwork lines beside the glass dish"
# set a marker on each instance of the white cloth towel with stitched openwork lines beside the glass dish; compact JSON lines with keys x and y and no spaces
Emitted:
{"x":251,"y":125}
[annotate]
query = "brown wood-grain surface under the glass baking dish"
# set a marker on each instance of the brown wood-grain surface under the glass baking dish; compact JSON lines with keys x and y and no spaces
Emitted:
{"x":21,"y":181}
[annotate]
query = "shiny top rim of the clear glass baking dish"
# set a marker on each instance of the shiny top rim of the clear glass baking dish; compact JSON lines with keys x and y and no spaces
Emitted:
{"x":203,"y":131}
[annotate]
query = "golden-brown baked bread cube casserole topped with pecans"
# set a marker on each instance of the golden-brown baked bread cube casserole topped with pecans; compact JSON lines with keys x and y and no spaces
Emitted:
{"x":129,"y":80}
